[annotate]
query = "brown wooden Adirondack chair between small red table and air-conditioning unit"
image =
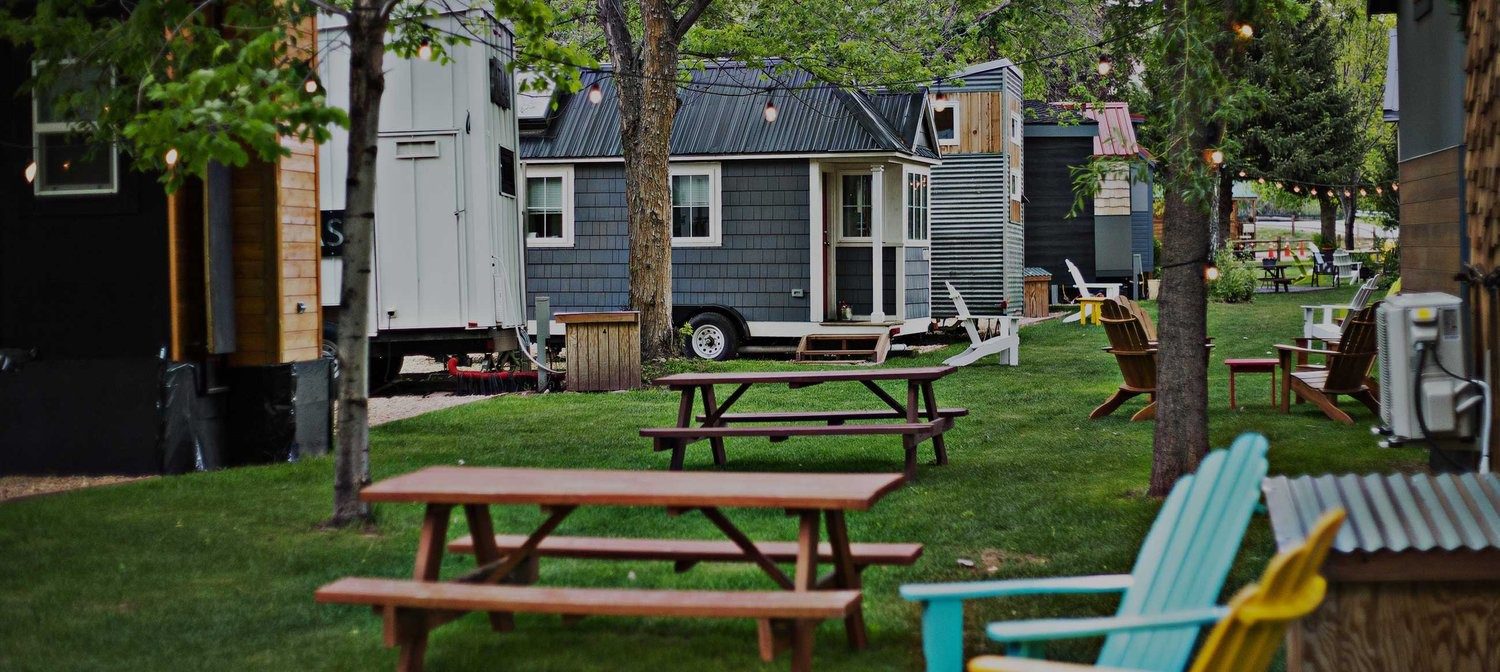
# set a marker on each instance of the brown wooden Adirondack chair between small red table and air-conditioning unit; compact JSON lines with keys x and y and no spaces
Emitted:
{"x":1346,"y":370}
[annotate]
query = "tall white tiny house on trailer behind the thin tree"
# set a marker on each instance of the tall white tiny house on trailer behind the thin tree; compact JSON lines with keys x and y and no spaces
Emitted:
{"x":448,"y":269}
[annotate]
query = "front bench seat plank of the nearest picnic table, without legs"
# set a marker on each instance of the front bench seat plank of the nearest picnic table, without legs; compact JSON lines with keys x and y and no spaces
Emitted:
{"x":589,"y":602}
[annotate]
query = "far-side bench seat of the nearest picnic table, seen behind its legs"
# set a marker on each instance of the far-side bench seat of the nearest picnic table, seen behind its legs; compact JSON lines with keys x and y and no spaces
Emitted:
{"x":692,"y":550}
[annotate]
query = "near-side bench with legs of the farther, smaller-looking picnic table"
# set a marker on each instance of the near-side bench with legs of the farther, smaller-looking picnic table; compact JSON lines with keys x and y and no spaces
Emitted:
{"x":913,"y":434}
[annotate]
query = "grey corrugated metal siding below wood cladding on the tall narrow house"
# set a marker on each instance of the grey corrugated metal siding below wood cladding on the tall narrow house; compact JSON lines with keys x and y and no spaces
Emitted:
{"x":970,"y":212}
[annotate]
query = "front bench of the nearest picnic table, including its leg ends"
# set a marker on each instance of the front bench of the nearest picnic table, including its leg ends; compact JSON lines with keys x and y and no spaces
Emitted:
{"x":418,"y":604}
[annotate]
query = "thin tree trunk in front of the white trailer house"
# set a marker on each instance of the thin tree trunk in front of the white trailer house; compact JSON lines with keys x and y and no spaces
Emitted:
{"x":352,"y":460}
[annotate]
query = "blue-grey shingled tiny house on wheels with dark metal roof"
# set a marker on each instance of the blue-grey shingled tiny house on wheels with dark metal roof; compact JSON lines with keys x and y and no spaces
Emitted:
{"x":794,"y":206}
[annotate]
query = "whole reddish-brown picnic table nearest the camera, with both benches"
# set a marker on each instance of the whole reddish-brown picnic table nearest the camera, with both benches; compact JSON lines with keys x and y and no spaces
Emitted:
{"x":508,"y":563}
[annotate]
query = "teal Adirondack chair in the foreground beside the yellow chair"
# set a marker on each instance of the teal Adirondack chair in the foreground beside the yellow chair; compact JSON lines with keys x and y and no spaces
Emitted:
{"x":1183,"y":565}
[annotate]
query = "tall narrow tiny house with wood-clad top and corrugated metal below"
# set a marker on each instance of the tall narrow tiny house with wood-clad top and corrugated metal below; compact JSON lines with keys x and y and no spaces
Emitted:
{"x":979,"y":233}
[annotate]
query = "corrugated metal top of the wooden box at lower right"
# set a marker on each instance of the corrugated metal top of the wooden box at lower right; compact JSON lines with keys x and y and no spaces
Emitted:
{"x":1391,"y":512}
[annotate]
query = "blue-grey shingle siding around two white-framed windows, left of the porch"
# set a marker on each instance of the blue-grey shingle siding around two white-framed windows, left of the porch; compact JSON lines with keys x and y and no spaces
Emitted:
{"x":763,"y":259}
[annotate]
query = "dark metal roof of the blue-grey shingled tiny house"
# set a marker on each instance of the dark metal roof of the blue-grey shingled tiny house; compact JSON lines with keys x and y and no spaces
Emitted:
{"x":722,"y":113}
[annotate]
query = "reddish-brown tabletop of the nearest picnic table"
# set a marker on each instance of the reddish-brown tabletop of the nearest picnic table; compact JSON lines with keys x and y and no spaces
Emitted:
{"x":487,"y":485}
